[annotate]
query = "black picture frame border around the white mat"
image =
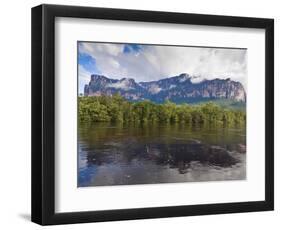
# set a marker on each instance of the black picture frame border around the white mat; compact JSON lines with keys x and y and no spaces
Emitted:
{"x":43,"y":114}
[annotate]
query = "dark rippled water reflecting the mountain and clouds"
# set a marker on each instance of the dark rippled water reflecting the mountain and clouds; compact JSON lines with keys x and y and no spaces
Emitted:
{"x":147,"y":154}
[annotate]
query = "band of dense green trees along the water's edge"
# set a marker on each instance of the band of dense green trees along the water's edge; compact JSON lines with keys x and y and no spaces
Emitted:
{"x":117,"y":109}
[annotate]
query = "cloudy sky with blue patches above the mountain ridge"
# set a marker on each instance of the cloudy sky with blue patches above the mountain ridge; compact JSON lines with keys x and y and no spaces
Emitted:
{"x":154,"y":62}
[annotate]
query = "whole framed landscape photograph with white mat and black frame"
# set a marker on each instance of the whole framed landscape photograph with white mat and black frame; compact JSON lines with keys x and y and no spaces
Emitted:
{"x":142,"y":114}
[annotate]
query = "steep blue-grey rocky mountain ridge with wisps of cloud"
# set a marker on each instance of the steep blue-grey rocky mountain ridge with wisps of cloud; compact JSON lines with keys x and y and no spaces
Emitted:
{"x":178,"y":89}
